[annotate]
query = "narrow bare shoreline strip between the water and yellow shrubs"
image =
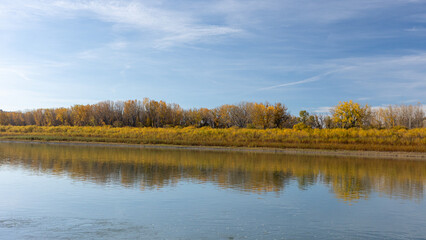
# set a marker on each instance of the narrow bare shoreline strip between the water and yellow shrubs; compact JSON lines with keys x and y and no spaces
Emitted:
{"x":322,"y":152}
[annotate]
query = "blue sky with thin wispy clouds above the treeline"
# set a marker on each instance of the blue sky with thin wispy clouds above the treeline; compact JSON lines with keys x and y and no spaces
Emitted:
{"x":306,"y":54}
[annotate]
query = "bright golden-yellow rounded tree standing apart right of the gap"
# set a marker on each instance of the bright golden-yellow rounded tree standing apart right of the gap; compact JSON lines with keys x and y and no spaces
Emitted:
{"x":349,"y":114}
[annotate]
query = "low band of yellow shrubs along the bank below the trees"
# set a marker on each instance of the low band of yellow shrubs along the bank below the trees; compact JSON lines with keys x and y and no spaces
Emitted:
{"x":354,"y":138}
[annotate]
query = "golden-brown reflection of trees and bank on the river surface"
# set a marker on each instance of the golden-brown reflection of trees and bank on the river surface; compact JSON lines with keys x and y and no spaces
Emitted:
{"x":349,"y":178}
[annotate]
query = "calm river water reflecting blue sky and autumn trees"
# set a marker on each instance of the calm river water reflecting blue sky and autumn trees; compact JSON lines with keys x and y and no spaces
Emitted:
{"x":75,"y":192}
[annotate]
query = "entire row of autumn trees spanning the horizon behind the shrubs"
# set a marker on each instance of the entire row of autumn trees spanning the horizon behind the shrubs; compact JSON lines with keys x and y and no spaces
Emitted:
{"x":151,"y":113}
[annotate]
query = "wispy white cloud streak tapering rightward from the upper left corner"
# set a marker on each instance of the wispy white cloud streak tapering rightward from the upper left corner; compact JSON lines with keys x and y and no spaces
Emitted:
{"x":165,"y":27}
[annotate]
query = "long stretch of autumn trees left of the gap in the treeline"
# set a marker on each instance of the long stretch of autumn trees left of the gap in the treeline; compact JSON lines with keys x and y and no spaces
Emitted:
{"x":151,"y":113}
